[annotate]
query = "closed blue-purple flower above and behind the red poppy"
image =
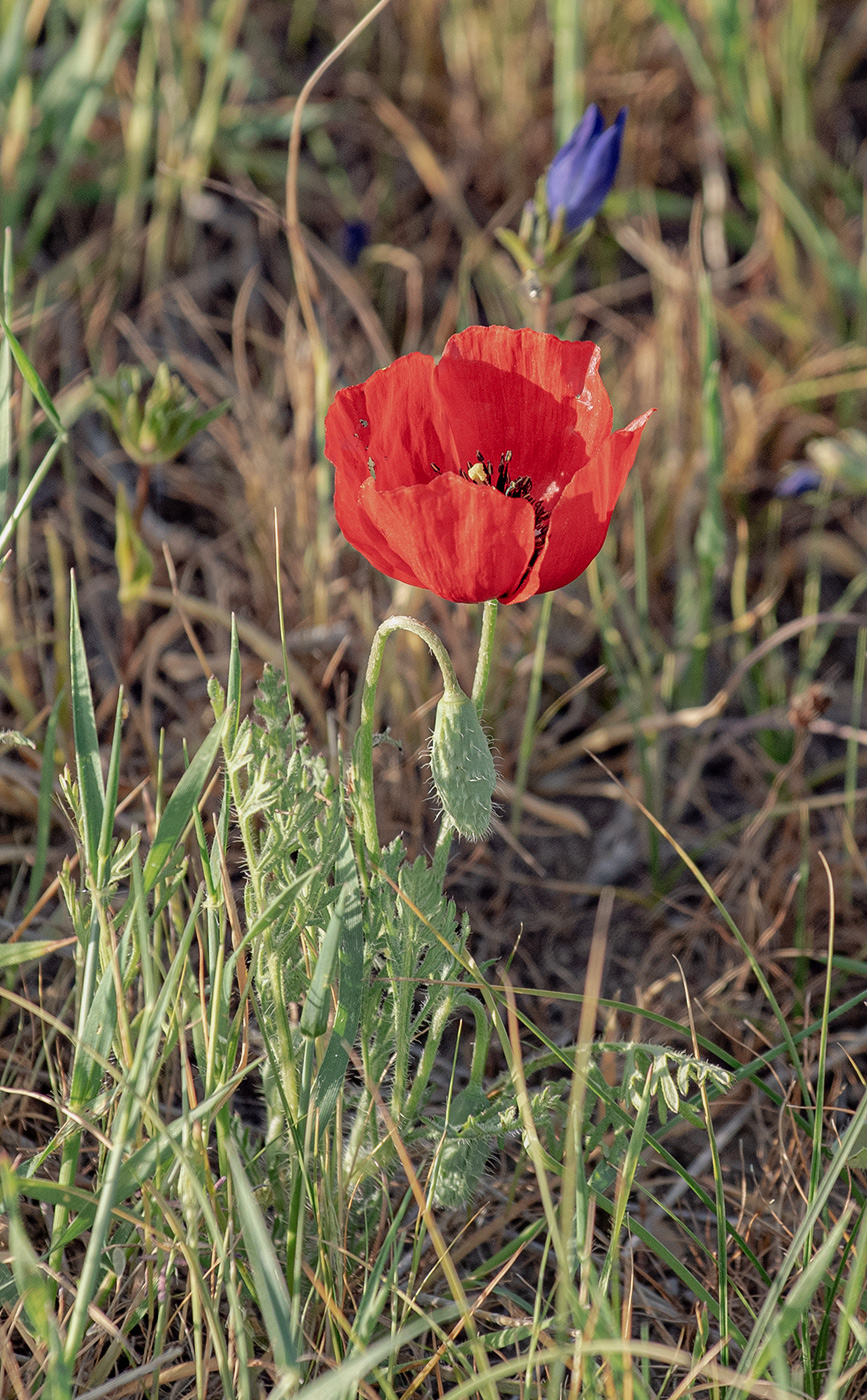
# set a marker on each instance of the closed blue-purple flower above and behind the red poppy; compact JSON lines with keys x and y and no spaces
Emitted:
{"x":583,"y":170}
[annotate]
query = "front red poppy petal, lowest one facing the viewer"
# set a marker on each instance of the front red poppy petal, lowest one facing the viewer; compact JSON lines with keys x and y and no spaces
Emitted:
{"x":463,"y":541}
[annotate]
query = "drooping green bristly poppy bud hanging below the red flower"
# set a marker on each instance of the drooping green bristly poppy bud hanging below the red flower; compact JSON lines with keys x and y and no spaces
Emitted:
{"x":462,"y":765}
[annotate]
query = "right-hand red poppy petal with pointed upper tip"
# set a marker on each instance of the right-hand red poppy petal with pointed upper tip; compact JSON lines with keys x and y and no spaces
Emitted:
{"x":579,"y":521}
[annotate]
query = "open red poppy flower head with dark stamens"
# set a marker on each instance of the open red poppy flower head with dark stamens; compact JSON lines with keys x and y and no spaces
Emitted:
{"x":492,"y":474}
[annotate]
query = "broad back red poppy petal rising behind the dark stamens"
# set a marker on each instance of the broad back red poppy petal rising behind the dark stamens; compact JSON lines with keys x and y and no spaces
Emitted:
{"x":526,"y":393}
